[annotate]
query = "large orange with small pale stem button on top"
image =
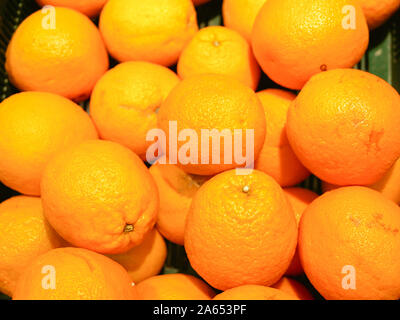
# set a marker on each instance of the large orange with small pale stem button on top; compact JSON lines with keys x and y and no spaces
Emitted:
{"x":240,"y":230}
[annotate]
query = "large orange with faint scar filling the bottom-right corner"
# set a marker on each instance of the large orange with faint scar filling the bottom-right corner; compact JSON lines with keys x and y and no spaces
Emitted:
{"x":352,"y":226}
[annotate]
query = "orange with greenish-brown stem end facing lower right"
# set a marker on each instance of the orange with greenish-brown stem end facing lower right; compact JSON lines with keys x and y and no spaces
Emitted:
{"x":100,"y":196}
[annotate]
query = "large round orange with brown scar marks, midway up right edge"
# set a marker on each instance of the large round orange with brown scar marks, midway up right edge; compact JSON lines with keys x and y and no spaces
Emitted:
{"x":343,"y":126}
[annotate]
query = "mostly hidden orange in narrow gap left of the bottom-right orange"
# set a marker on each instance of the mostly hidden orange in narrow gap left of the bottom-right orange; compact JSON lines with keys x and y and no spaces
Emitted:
{"x":299,"y":199}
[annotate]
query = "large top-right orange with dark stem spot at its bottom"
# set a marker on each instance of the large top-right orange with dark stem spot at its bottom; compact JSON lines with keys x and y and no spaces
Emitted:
{"x":296,"y":39}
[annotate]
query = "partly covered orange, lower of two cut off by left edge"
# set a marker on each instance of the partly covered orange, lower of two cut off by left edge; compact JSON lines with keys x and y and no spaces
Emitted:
{"x":25,"y":234}
